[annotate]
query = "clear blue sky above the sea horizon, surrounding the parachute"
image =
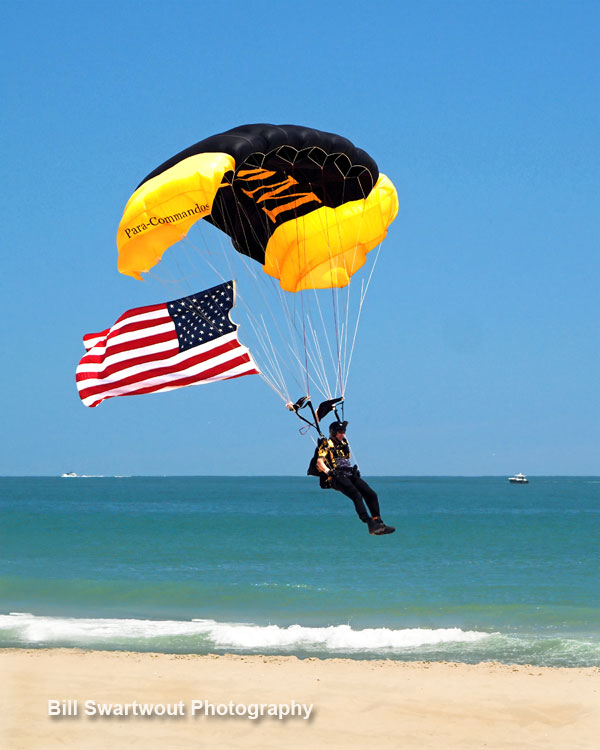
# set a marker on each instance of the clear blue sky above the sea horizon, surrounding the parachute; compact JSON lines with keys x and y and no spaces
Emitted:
{"x":479,"y":348}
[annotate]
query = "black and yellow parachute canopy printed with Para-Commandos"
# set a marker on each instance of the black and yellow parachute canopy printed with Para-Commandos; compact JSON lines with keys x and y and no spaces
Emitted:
{"x":307,"y":205}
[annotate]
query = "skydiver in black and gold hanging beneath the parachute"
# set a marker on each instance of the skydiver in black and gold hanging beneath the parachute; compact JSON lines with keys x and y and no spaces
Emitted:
{"x":333,"y":466}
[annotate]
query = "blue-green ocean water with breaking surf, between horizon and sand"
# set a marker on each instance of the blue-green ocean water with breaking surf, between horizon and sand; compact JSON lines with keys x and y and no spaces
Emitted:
{"x":477,"y":570}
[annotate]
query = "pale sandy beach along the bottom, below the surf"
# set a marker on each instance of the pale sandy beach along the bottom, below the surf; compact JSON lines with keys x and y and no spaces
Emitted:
{"x":181,"y":701}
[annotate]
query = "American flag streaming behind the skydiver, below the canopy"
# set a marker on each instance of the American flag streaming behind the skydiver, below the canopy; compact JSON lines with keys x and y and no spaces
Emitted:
{"x":161,"y":347}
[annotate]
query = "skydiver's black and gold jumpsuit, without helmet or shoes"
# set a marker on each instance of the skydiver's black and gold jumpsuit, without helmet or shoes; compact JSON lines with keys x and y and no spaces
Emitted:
{"x":336,"y":454}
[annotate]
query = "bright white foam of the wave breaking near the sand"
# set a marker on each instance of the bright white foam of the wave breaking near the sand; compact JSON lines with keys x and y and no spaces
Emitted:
{"x":31,"y":629}
